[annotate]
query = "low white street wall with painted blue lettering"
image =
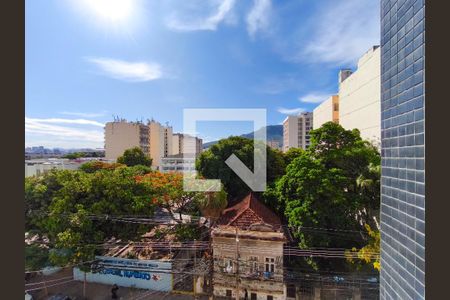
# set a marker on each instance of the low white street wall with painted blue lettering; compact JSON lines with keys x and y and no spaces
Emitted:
{"x":119,"y":272}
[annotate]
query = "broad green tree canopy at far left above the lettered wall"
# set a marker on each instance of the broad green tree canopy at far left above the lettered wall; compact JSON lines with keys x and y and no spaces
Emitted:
{"x":71,"y":209}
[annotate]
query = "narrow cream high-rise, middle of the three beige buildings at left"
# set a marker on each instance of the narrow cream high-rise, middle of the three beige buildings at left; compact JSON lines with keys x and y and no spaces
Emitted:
{"x":160,"y":142}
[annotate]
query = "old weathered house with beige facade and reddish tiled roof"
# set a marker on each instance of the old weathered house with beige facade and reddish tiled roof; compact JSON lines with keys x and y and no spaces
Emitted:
{"x":247,"y":243}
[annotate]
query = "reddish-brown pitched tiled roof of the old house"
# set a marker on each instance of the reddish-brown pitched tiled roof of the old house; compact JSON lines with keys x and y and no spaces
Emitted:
{"x":247,"y":212}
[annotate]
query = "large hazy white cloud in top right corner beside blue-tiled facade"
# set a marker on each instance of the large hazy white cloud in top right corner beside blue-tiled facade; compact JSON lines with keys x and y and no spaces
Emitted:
{"x":342,"y":32}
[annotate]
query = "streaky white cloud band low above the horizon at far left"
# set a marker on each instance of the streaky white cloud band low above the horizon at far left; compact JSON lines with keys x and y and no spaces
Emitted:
{"x":82,"y":133}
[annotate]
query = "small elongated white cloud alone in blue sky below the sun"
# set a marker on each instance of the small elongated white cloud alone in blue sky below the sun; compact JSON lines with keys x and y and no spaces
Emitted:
{"x":128,"y":71}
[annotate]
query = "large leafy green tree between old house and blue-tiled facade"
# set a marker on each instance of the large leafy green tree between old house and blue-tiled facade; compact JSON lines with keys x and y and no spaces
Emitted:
{"x":333,"y":184}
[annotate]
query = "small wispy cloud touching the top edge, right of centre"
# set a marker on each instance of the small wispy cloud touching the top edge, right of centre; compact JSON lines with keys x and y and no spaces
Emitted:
{"x":259,"y":16}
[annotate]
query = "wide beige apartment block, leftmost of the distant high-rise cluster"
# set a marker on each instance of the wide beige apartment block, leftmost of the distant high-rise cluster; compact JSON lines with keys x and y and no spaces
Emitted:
{"x":122,"y":135}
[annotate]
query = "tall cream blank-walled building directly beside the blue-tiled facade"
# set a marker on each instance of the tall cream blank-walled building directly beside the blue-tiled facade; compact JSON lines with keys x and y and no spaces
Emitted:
{"x":359,"y":96}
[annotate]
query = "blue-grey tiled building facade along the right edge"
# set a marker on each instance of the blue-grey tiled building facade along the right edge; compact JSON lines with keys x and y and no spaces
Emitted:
{"x":403,"y":149}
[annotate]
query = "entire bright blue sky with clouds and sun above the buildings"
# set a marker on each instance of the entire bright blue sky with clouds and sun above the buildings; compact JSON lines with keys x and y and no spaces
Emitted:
{"x":87,"y":60}
